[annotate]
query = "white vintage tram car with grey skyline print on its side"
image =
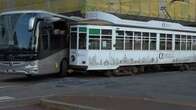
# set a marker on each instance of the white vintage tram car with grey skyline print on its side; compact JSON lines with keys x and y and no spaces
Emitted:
{"x":106,"y":42}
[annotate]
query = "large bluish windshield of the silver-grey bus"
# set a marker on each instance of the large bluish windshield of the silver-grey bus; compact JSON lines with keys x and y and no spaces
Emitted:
{"x":14,"y":33}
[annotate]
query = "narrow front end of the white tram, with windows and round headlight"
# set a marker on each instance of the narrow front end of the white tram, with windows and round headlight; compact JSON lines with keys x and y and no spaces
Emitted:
{"x":78,"y":45}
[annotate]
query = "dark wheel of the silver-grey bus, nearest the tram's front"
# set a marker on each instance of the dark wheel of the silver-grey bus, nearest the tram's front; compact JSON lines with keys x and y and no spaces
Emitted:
{"x":63,"y":68}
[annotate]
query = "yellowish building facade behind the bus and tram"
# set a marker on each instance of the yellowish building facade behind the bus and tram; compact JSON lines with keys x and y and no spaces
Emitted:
{"x":170,"y":9}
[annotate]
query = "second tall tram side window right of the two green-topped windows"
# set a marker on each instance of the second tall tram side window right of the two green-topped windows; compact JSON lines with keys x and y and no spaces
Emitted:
{"x":129,"y":40}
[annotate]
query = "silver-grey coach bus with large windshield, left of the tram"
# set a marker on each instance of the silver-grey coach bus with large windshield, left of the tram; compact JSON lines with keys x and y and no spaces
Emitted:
{"x":33,"y":42}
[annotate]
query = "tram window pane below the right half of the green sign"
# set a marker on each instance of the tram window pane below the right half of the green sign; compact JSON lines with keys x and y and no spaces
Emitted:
{"x":106,"y":42}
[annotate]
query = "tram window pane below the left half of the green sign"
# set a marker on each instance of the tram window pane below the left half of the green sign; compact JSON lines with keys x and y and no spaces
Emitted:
{"x":94,"y":42}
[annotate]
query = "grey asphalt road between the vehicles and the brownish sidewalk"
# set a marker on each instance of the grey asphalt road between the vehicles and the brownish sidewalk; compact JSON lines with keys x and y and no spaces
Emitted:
{"x":174,"y":86}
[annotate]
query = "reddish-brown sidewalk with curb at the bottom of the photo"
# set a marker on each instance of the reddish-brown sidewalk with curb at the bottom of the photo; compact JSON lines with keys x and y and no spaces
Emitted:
{"x":111,"y":103}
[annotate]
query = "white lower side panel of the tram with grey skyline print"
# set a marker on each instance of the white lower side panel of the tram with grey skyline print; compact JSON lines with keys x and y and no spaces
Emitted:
{"x":114,"y":59}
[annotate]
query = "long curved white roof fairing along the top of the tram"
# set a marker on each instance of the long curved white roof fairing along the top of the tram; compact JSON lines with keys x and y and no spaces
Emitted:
{"x":97,"y":15}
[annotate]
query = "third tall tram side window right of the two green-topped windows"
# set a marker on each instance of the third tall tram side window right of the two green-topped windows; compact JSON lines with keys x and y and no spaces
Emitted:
{"x":137,"y":40}
